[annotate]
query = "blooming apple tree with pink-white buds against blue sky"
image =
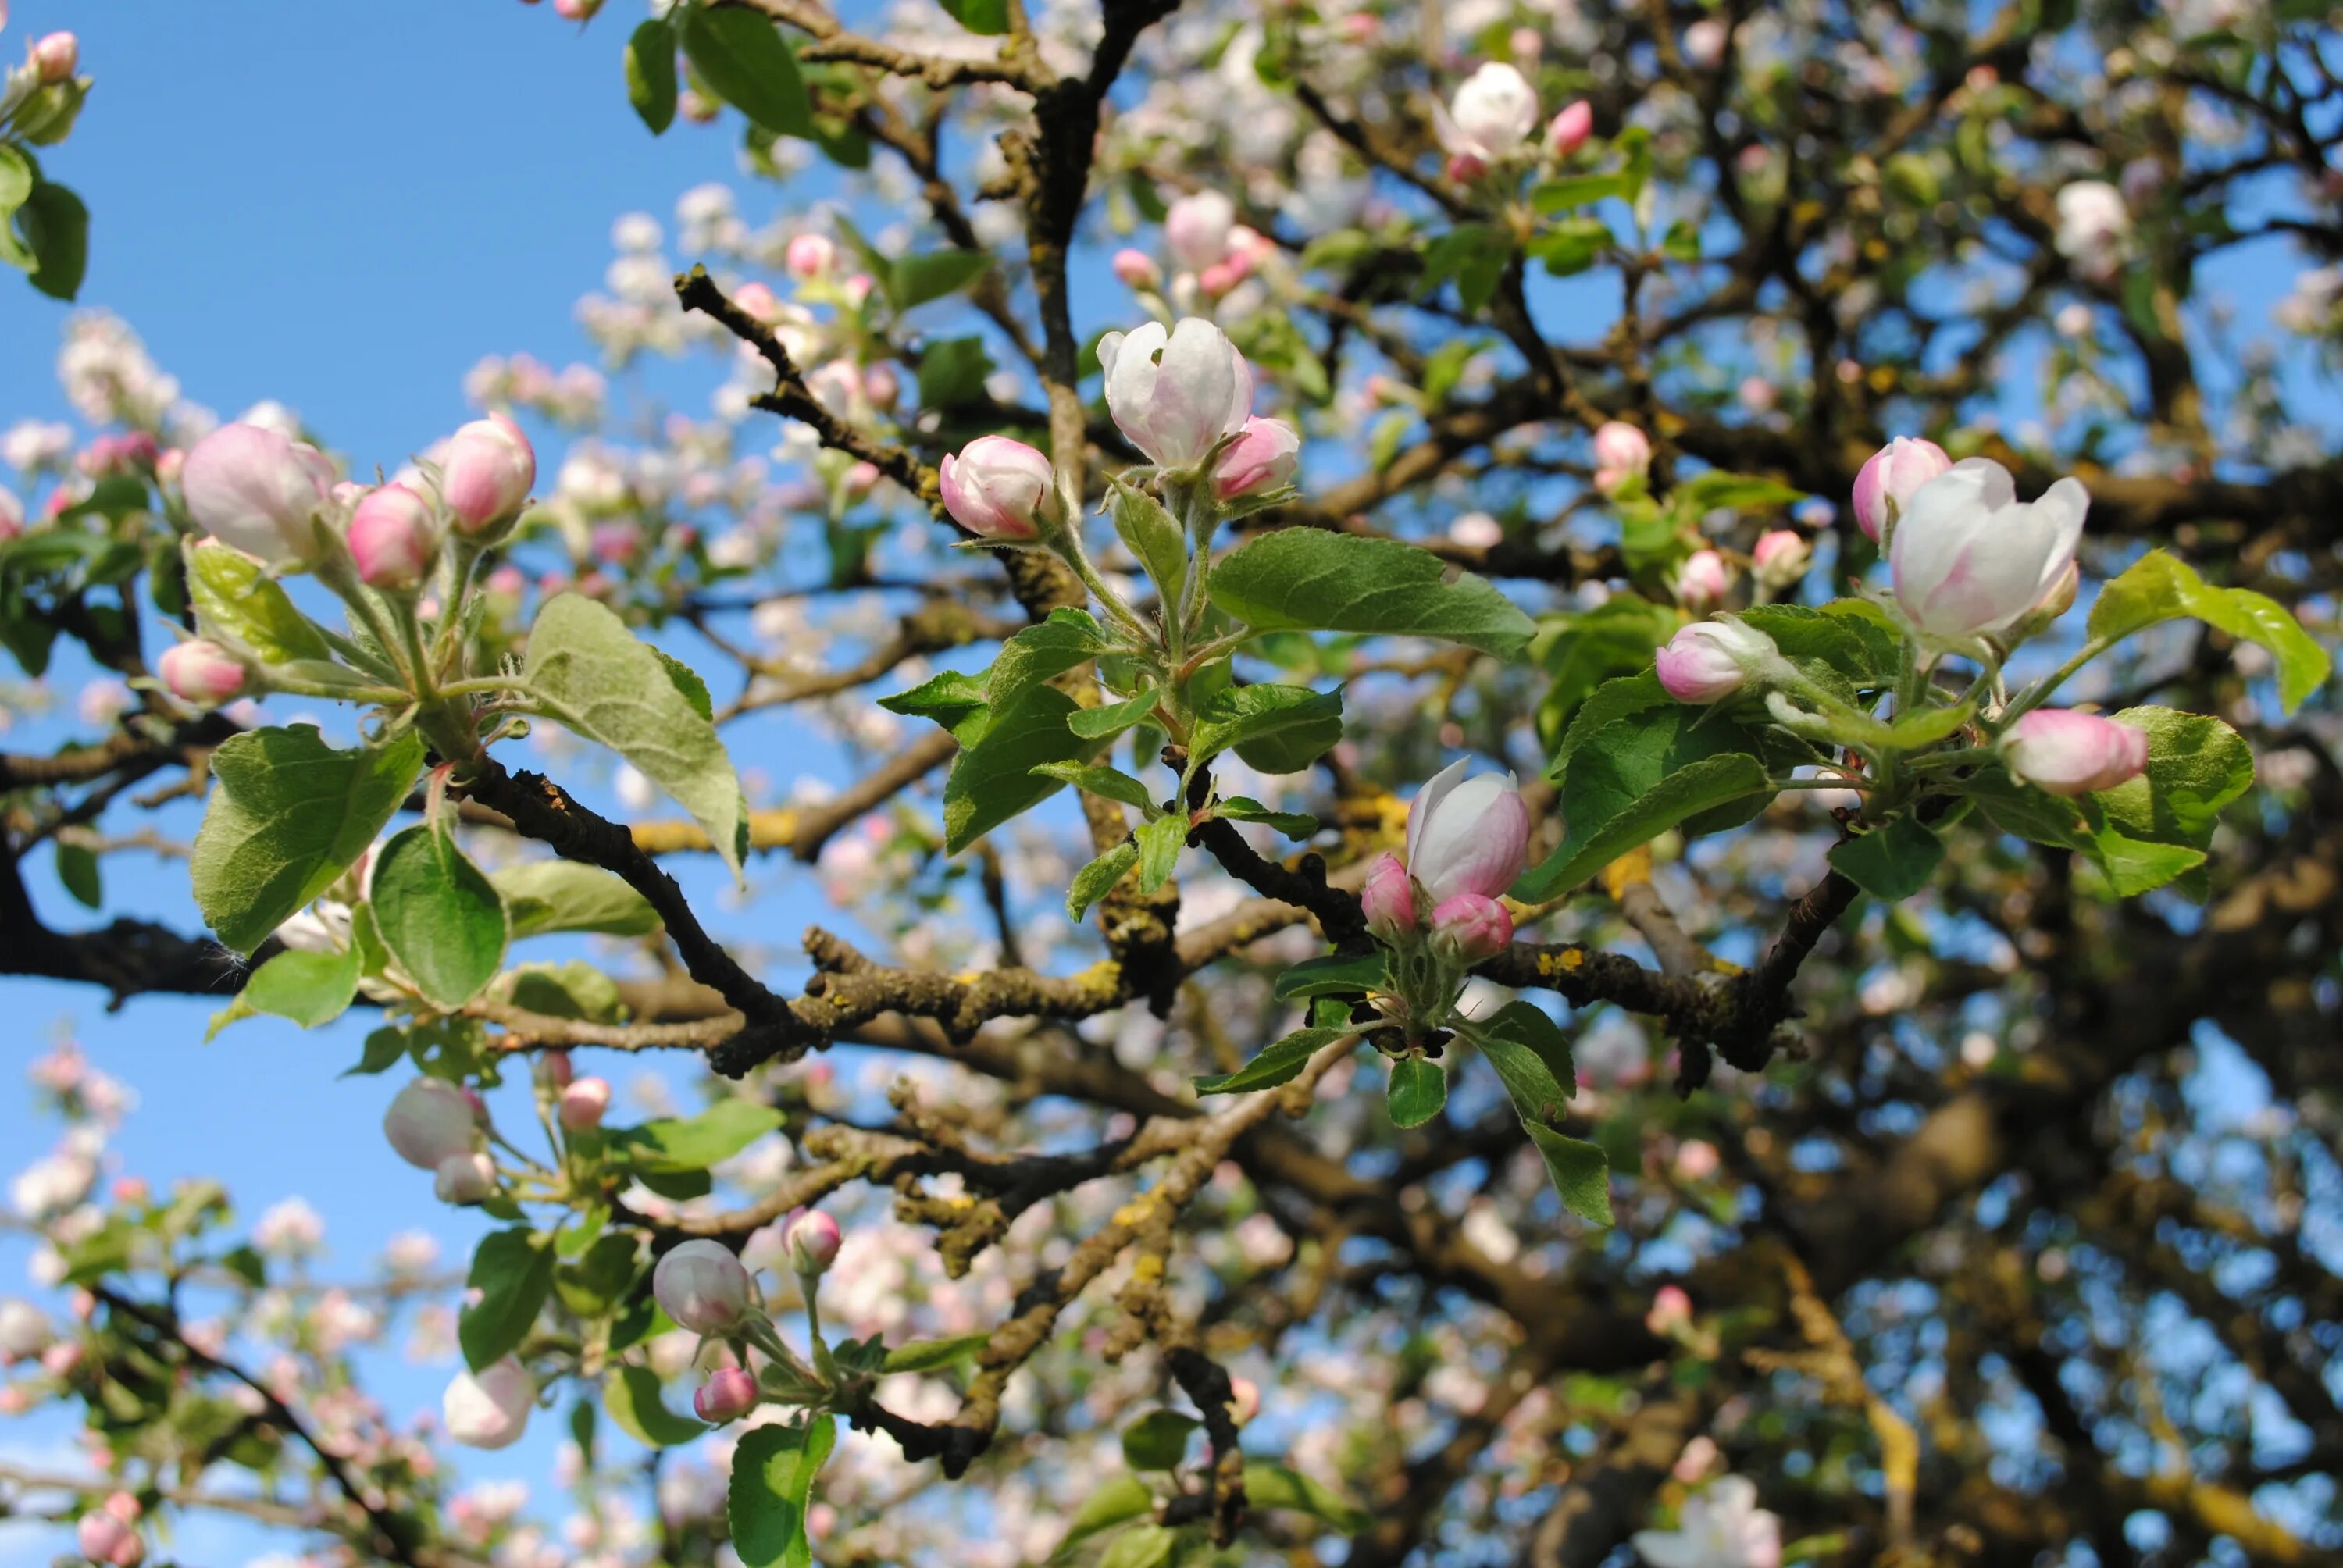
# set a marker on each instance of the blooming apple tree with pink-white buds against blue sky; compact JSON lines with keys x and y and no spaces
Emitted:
{"x":1550,"y":737}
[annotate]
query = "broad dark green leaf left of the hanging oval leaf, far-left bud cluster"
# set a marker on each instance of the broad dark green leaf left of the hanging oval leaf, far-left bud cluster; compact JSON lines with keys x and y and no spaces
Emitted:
{"x":287,"y":817}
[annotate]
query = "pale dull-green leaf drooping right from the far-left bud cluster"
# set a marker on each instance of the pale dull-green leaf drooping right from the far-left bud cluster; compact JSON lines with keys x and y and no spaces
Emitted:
{"x":596,"y":679}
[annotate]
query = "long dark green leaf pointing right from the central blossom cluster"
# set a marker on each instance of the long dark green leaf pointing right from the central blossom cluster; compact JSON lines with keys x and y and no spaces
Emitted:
{"x":1313,"y":580}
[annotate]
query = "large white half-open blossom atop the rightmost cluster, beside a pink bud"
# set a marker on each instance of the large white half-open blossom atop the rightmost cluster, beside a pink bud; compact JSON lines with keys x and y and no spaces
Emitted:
{"x":1972,"y":559}
